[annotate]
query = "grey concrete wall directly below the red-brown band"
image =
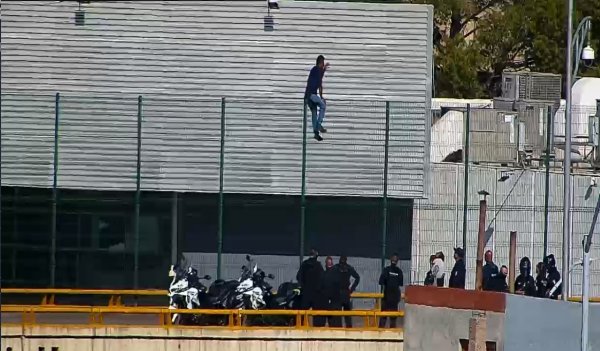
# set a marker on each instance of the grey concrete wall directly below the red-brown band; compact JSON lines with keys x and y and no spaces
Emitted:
{"x":440,"y":329}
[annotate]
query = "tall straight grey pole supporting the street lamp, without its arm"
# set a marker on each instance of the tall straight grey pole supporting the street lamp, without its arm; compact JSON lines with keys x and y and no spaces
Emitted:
{"x":567,"y":163}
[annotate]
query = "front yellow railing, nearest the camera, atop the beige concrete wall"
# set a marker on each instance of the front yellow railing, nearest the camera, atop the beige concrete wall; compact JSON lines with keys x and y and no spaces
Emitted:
{"x":235,"y":318}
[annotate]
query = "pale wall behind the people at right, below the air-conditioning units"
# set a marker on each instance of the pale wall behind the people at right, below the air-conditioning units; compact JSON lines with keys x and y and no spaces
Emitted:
{"x":515,"y":204}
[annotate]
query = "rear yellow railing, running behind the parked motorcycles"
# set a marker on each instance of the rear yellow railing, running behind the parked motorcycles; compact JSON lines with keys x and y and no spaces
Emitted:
{"x":48,"y":296}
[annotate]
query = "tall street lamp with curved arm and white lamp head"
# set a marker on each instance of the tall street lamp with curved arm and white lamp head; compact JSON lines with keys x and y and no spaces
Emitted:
{"x":574,"y":43}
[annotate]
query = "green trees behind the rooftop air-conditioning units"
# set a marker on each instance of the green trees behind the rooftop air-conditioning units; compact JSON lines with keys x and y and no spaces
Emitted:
{"x":514,"y":35}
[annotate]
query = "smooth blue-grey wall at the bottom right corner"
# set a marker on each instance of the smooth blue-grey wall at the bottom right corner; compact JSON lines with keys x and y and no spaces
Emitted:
{"x":545,"y":325}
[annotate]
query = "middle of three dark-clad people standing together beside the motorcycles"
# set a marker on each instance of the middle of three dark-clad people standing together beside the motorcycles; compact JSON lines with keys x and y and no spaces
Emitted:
{"x":331,"y":288}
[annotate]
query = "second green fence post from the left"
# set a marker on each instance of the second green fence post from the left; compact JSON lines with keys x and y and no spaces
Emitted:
{"x":138,"y":178}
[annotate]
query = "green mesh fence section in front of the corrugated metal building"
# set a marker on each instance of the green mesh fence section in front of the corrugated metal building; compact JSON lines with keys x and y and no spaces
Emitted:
{"x":107,"y":192}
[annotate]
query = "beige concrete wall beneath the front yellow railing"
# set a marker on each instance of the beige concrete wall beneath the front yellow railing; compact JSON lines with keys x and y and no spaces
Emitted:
{"x":160,"y":339}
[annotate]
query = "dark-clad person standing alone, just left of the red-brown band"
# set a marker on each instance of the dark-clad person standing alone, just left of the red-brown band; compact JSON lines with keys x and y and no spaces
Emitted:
{"x":391,"y":280}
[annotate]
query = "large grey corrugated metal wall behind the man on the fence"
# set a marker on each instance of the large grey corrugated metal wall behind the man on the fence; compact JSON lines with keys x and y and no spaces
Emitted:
{"x":183,"y":57}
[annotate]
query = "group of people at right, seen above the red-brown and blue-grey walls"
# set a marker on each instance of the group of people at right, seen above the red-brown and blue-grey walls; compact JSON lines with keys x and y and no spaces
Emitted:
{"x":545,"y":284}
